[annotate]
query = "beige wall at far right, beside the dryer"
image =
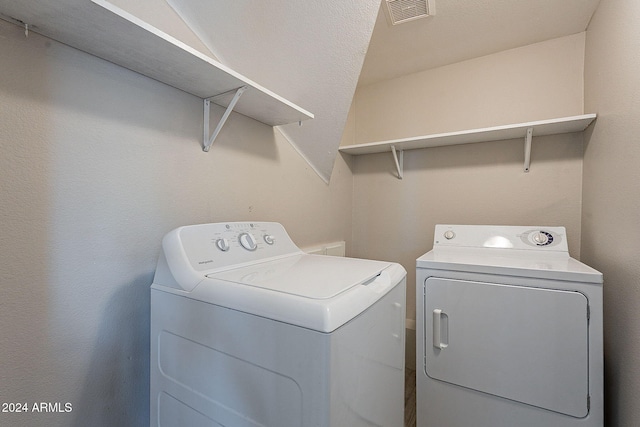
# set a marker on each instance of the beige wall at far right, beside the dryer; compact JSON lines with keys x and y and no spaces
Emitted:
{"x":611,"y":211}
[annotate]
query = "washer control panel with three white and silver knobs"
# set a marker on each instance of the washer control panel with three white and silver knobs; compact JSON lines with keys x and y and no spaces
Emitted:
{"x":221,"y":245}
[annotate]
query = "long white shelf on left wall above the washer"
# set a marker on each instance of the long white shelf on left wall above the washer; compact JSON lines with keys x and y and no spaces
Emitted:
{"x":108,"y":32}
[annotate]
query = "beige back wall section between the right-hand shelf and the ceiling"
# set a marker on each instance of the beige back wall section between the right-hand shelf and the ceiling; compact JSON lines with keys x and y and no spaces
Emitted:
{"x":540,"y":81}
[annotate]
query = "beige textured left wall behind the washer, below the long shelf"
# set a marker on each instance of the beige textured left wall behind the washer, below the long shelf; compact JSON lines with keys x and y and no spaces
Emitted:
{"x":97,"y":164}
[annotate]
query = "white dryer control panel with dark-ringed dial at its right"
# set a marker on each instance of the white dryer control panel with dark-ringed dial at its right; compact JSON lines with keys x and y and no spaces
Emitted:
{"x":501,"y":237}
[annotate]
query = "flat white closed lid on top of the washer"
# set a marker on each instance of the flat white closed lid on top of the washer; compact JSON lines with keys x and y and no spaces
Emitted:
{"x":307,"y":276}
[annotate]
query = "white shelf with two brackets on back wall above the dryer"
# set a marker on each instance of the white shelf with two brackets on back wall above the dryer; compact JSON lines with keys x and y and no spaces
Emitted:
{"x":496,"y":133}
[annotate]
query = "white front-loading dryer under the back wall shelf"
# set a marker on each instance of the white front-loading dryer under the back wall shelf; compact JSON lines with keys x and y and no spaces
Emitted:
{"x":509,"y":330}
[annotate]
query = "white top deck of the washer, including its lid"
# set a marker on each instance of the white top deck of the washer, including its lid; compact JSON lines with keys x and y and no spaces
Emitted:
{"x":312,"y":291}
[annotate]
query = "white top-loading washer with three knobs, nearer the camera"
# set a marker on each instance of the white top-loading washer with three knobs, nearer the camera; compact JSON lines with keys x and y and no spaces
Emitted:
{"x":247,"y":331}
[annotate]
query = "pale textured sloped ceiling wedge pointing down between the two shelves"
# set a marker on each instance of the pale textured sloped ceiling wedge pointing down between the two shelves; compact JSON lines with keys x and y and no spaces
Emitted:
{"x":310,"y":52}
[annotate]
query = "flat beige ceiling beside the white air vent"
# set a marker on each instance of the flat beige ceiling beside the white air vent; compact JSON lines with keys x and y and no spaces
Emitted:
{"x":463,"y":29}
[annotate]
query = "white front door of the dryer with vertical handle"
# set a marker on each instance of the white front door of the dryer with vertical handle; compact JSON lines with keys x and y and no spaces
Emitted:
{"x":520,"y":343}
